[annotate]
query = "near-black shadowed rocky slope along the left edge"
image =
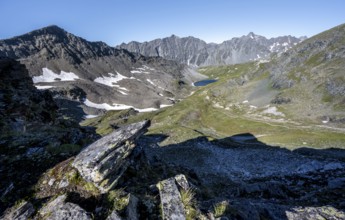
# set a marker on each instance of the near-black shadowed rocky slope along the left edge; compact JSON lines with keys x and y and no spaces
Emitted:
{"x":33,"y":136}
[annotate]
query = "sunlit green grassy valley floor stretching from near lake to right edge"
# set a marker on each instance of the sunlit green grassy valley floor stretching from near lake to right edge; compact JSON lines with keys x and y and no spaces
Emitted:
{"x":217,"y":111}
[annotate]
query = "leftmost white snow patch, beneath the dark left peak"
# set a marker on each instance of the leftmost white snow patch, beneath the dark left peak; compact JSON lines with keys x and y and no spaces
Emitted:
{"x":49,"y":76}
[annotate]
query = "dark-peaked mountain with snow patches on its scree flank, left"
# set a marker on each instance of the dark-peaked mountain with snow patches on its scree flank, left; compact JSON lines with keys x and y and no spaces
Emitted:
{"x":109,"y":78}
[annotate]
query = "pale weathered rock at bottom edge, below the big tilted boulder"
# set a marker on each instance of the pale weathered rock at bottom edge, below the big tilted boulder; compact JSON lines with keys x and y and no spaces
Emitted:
{"x":58,"y":209}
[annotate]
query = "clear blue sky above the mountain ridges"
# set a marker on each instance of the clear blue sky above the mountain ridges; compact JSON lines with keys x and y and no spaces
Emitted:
{"x":117,"y":21}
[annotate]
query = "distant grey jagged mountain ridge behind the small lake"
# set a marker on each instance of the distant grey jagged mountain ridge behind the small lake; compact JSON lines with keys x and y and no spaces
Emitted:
{"x":196,"y":52}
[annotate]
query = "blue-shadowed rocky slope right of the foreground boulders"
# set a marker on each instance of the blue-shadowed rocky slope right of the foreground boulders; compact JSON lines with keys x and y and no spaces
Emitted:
{"x":255,"y":180}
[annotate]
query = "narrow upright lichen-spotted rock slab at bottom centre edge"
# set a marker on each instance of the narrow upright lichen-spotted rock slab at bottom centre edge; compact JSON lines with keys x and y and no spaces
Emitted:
{"x":172,"y":207}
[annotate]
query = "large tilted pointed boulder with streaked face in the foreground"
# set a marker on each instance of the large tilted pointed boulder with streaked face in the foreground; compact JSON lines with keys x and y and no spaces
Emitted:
{"x":104,"y":161}
